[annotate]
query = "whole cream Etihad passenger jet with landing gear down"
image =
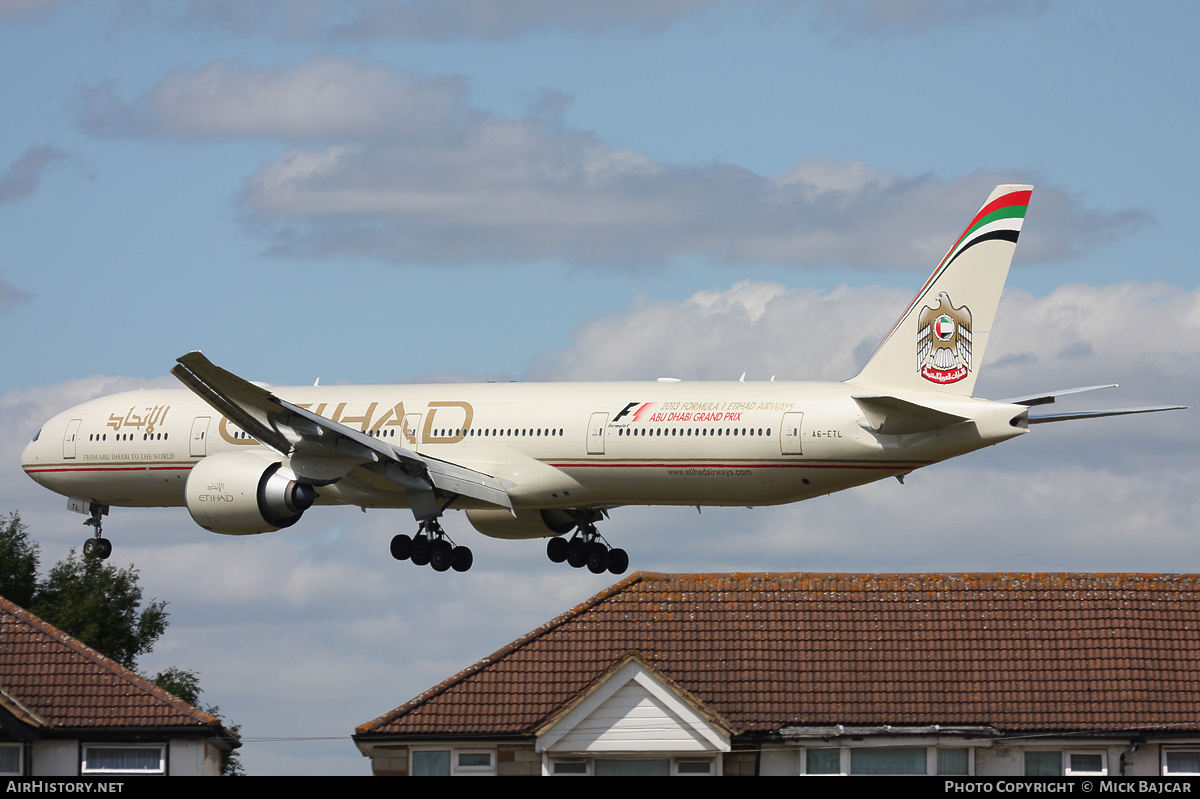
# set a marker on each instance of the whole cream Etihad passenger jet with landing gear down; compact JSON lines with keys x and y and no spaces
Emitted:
{"x":551,"y":460}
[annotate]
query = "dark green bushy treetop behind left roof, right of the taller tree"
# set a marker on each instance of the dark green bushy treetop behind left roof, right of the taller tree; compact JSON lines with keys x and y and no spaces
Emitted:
{"x":99,"y":605}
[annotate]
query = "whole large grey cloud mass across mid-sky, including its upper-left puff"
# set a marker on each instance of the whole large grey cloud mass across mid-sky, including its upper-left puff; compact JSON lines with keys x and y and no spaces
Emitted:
{"x":400,"y":166}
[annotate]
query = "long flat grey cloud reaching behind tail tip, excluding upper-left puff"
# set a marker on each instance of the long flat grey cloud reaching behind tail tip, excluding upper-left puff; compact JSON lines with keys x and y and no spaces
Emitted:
{"x":512,"y":190}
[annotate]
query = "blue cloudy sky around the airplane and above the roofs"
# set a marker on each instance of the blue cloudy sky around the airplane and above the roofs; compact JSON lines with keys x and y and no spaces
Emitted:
{"x":391,"y":191}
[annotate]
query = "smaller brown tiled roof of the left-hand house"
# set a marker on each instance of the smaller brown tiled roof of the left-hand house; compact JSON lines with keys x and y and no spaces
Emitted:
{"x":53,"y":682}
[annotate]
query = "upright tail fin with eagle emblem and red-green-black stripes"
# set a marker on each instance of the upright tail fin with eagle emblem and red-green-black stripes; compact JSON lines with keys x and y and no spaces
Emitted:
{"x":938,"y":345}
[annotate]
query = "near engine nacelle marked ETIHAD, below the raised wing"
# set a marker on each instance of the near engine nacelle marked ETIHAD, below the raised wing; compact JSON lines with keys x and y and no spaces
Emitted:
{"x":242,"y":494}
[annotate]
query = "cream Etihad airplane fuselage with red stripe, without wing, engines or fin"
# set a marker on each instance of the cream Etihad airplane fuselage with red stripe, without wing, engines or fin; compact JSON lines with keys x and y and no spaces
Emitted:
{"x":553,"y":446}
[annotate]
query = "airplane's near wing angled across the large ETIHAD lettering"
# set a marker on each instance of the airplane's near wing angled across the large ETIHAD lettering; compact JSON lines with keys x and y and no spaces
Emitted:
{"x":322,"y":450}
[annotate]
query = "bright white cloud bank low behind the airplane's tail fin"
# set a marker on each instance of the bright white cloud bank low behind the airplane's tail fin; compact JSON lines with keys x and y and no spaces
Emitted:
{"x":1147,"y":334}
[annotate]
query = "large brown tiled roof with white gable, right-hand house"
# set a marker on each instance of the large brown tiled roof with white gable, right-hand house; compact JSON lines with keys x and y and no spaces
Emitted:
{"x":1018,"y":652}
